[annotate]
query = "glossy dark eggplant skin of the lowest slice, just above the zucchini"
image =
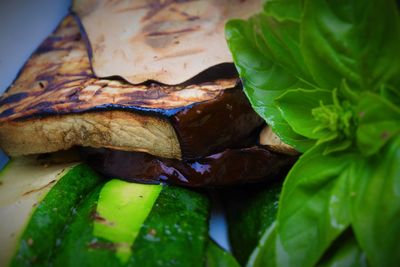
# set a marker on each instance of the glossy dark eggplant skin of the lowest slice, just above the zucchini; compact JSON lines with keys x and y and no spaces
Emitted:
{"x":229,"y":167}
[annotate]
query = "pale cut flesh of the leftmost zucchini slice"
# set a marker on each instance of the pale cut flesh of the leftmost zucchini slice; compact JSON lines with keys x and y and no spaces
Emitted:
{"x":24,"y":182}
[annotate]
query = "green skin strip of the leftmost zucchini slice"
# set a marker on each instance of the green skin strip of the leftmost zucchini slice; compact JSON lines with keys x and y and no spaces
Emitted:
{"x":52,"y":214}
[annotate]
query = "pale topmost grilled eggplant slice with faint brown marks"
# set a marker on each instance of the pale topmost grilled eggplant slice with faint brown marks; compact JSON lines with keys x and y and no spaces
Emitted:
{"x":166,"y":41}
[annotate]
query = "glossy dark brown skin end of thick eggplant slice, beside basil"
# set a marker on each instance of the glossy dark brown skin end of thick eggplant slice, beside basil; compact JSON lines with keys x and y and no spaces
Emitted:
{"x":214,"y":125}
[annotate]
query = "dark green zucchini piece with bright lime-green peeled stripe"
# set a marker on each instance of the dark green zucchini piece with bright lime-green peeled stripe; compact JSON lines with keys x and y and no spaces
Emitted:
{"x":174,"y":233}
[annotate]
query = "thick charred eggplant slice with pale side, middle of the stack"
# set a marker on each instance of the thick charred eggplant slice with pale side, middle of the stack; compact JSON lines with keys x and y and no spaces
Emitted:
{"x":56,"y":103}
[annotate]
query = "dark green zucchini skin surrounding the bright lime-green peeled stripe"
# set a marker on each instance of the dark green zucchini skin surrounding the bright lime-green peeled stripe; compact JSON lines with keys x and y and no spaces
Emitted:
{"x":175,"y":233}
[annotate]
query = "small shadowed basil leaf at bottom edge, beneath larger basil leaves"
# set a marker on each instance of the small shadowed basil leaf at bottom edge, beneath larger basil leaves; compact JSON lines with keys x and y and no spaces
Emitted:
{"x":344,"y":252}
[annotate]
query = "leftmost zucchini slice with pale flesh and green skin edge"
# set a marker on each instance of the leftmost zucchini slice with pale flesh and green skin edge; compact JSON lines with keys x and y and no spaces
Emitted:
{"x":36,"y":202}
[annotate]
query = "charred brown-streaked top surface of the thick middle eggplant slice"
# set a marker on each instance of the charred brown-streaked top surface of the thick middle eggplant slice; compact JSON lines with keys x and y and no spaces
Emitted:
{"x":57,"y":82}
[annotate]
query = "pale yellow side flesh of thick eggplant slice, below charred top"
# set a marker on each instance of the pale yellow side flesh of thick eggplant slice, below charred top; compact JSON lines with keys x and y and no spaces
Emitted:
{"x":113,"y":129}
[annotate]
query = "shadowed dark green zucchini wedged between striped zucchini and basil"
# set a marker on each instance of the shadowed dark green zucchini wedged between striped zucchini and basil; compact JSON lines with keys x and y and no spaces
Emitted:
{"x":249,"y":212}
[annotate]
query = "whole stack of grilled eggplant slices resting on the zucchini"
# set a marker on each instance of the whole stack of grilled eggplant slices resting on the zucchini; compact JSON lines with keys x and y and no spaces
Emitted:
{"x":202,"y":132}
